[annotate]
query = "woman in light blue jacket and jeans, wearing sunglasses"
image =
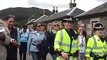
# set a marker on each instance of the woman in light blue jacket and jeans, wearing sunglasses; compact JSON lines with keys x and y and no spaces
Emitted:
{"x":34,"y":41}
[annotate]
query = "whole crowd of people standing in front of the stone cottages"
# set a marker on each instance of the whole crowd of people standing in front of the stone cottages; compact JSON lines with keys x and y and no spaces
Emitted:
{"x":62,"y":42}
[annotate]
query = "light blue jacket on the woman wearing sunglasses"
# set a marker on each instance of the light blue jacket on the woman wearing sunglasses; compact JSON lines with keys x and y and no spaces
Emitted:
{"x":34,"y":39}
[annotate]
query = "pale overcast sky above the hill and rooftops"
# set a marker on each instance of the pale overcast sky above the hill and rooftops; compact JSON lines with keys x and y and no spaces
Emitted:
{"x":48,"y":4}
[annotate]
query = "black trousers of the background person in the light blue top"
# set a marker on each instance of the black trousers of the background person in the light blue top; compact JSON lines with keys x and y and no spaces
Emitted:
{"x":22,"y":50}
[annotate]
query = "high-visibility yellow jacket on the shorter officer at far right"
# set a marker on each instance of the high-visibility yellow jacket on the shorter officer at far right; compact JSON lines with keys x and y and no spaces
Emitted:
{"x":96,"y":46}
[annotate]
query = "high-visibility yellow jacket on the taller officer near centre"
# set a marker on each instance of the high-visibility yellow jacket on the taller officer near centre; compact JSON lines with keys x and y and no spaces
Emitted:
{"x":62,"y":42}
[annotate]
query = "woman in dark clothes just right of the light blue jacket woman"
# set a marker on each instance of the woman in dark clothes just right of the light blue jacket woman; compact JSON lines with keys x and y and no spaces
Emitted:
{"x":44,"y":46}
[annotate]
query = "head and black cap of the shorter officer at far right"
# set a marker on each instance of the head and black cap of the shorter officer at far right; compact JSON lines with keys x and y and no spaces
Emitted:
{"x":98,"y":29}
